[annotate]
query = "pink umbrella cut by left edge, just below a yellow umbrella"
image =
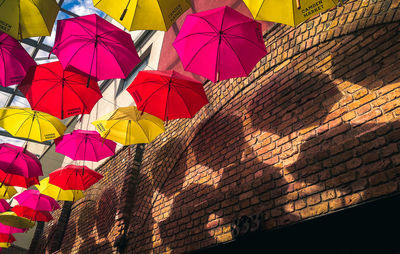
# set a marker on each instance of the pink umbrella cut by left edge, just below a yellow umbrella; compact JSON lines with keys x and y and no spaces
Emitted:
{"x":17,"y":160}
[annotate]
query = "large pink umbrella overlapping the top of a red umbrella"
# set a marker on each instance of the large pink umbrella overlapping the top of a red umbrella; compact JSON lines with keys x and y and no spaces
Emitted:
{"x":96,"y":47}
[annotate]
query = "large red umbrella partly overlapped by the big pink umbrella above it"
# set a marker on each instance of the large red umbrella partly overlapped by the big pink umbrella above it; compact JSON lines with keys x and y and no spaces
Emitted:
{"x":60,"y":93}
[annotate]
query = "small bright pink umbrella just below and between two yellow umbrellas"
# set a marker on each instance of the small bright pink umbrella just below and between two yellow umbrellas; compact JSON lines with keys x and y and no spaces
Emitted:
{"x":85,"y":145}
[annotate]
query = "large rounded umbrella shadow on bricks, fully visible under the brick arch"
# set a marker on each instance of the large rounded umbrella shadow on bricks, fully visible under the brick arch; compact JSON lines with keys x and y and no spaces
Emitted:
{"x":289,"y":104}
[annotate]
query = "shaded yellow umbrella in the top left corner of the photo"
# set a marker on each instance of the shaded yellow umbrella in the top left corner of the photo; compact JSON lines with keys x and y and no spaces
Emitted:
{"x":26,"y":18}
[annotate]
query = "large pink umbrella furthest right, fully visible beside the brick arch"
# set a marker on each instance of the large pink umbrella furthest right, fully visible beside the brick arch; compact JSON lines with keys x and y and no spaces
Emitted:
{"x":220,"y":44}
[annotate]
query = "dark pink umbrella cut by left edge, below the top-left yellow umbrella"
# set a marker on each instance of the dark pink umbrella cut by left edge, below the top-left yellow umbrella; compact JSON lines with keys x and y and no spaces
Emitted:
{"x":14,"y":61}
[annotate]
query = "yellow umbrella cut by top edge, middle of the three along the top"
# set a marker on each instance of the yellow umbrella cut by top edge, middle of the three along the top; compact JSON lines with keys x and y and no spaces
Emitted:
{"x":144,"y":14}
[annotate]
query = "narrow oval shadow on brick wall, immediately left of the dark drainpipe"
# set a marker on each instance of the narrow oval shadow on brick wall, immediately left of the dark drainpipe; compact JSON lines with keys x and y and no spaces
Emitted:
{"x":106,"y":210}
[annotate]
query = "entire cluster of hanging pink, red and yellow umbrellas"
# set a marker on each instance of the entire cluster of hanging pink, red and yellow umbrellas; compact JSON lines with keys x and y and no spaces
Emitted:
{"x":218,"y":44}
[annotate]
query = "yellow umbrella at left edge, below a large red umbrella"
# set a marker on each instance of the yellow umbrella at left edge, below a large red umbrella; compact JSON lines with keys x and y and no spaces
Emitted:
{"x":31,"y":124}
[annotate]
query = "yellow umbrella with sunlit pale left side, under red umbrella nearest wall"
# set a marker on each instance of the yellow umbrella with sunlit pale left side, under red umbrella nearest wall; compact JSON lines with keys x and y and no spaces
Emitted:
{"x":128,"y":125}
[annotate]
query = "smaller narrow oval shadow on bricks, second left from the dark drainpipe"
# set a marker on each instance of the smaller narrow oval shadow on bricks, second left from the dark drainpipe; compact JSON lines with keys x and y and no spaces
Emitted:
{"x":87,"y":219}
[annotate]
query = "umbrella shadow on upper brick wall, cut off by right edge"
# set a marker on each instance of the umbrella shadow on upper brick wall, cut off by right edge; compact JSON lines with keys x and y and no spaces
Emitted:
{"x":367,"y":55}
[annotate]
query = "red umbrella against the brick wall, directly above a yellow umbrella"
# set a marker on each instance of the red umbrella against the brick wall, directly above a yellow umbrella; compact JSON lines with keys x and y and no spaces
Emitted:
{"x":167,"y":94}
